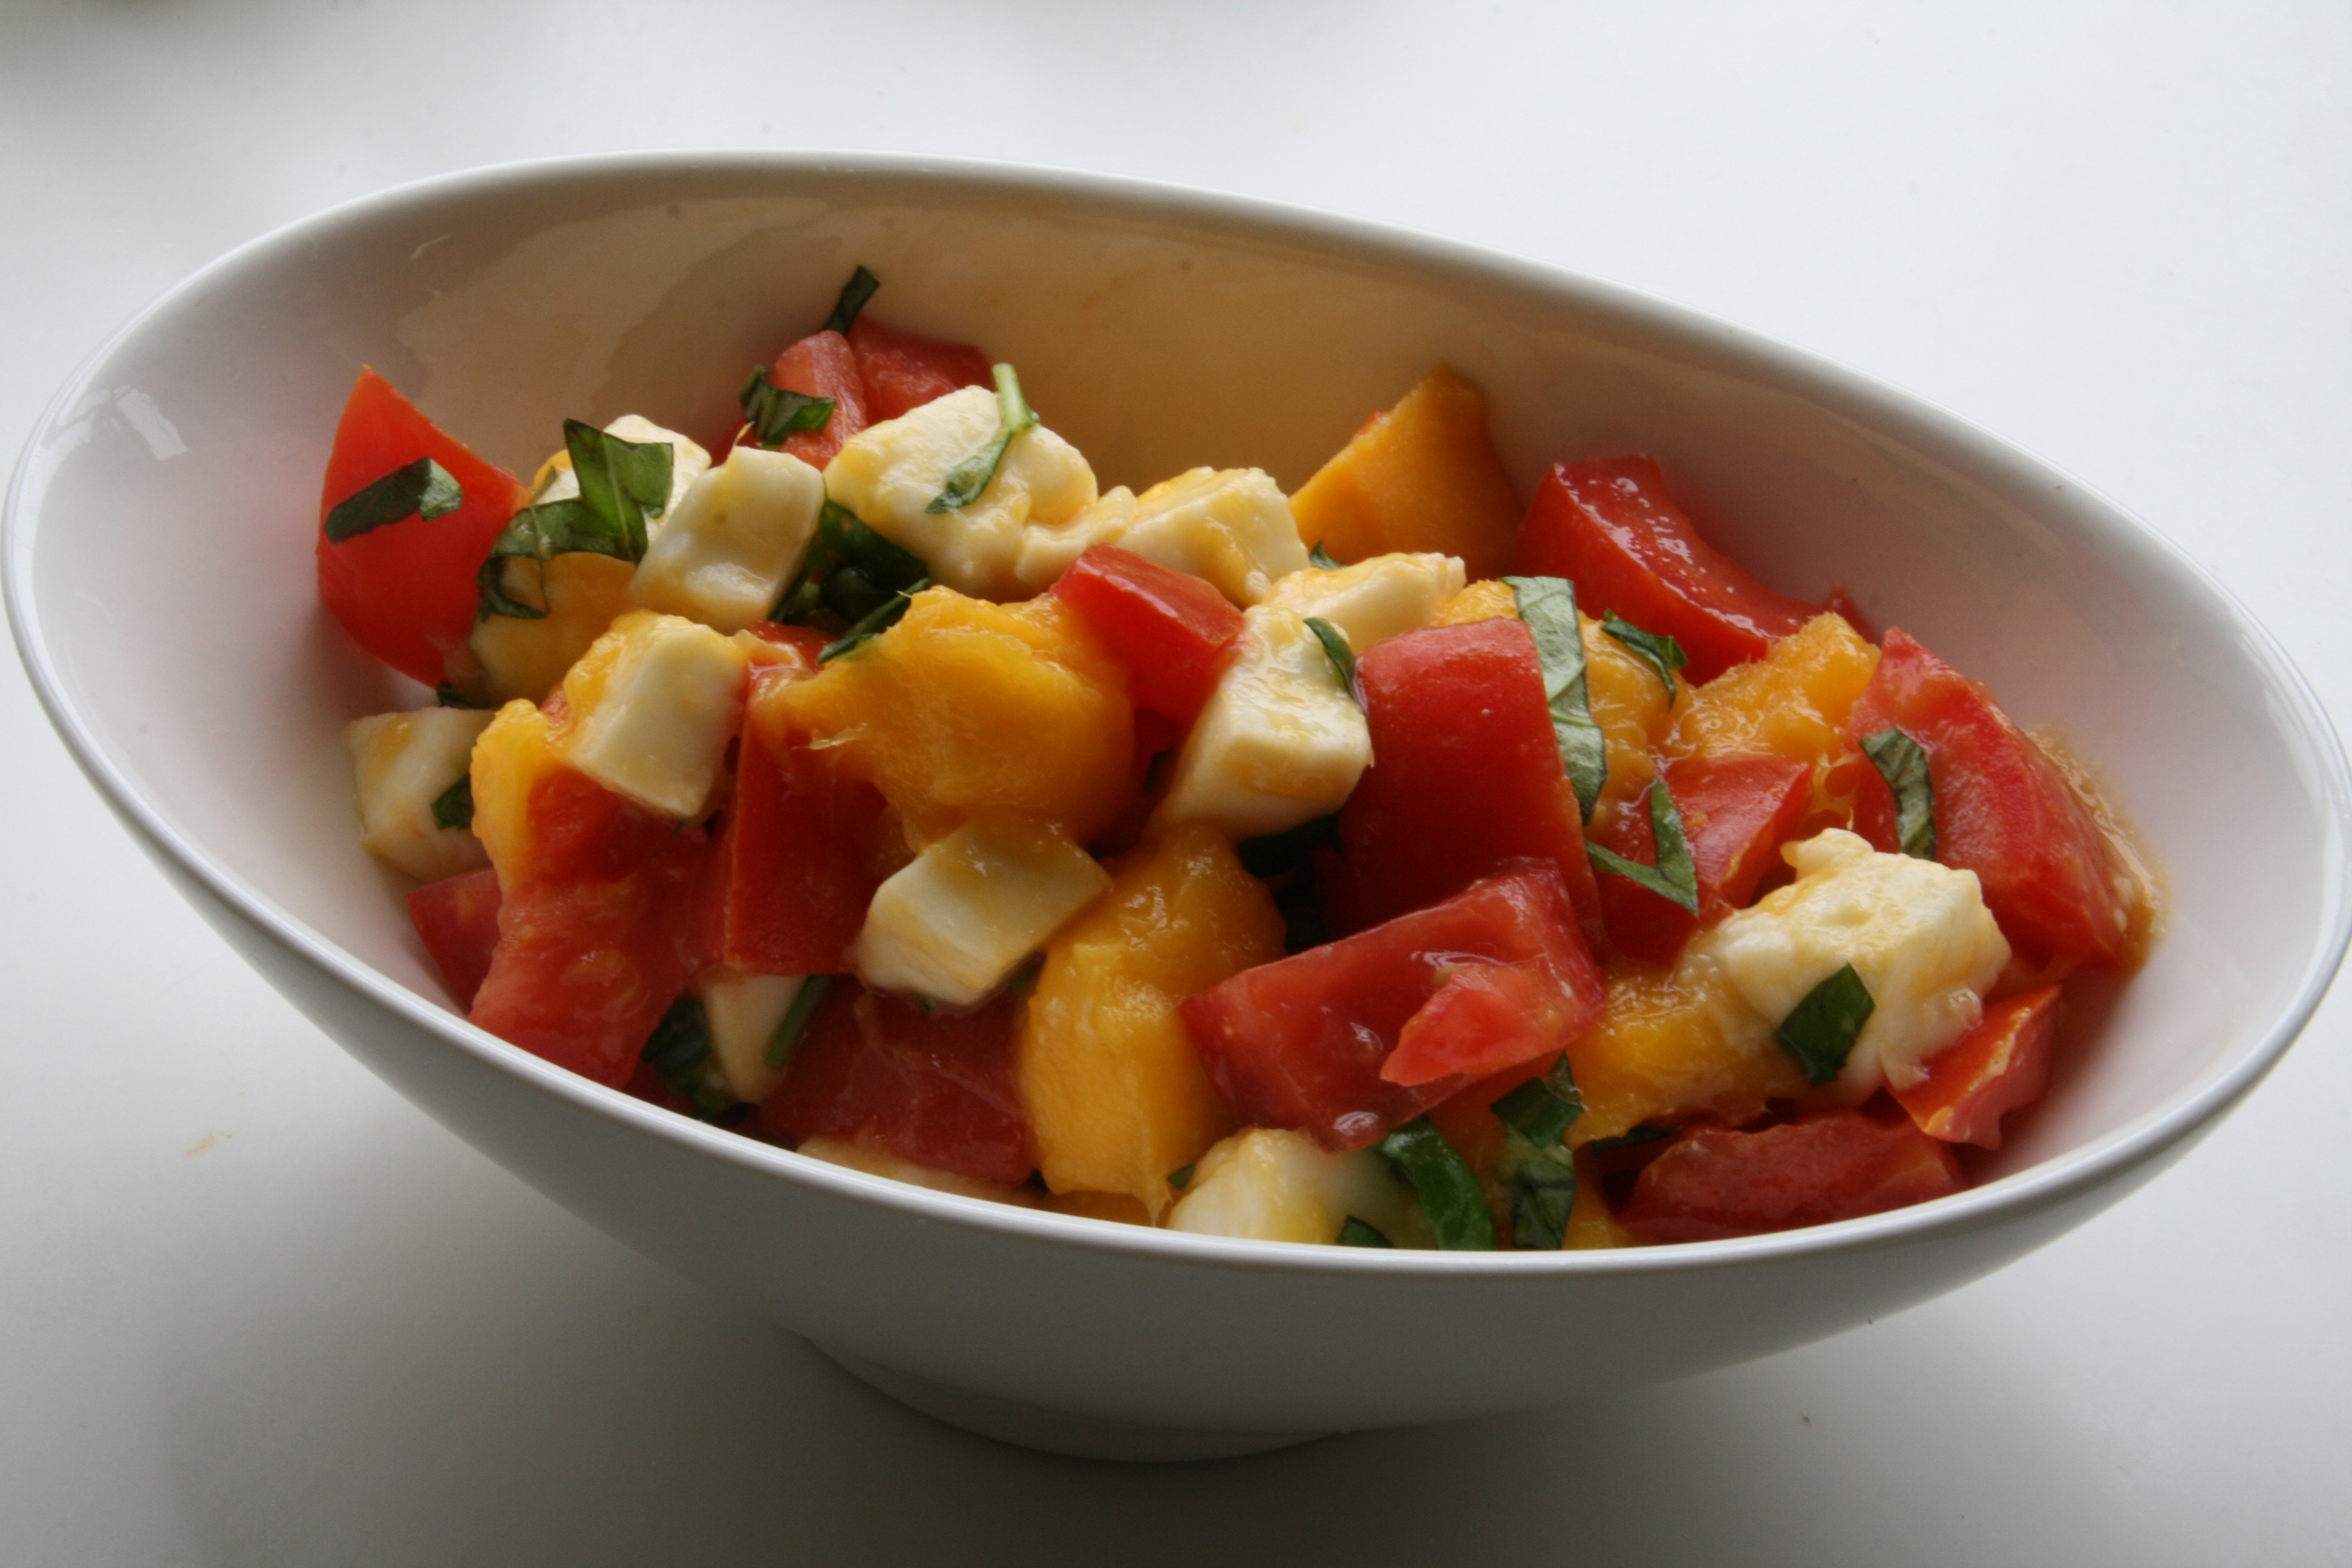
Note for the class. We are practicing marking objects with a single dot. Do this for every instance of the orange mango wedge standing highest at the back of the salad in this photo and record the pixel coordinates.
(1419, 478)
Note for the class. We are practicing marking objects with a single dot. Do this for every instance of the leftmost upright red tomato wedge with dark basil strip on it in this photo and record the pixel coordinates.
(406, 591)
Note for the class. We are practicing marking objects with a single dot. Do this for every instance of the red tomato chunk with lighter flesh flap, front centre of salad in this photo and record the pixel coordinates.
(1302, 1043)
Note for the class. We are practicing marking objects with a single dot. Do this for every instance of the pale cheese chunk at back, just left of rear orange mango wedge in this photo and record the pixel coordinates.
(1231, 528)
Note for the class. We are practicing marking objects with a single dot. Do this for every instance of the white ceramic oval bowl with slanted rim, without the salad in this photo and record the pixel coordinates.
(175, 485)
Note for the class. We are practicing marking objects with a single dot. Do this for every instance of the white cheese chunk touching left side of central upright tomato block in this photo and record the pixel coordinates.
(1278, 744)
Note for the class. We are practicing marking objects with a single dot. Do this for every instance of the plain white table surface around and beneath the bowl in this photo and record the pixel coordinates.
(260, 1311)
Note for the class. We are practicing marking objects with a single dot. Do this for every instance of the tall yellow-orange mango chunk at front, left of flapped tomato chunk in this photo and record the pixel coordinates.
(1114, 1090)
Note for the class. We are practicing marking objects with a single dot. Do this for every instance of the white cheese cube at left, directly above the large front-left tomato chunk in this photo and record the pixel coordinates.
(653, 711)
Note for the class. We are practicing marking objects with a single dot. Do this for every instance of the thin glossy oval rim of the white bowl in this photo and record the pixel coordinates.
(1838, 389)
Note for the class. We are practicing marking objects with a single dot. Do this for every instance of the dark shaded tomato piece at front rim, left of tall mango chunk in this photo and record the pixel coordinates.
(937, 1090)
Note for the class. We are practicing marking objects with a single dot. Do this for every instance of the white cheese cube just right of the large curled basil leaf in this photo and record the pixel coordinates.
(735, 542)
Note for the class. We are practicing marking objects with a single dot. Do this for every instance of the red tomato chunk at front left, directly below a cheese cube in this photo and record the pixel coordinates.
(599, 934)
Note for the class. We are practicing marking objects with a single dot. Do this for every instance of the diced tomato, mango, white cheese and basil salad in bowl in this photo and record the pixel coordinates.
(1389, 864)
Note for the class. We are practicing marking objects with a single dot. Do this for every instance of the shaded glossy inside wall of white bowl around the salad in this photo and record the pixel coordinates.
(163, 516)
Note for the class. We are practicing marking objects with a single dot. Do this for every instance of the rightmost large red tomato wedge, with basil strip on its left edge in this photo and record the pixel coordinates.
(2003, 810)
